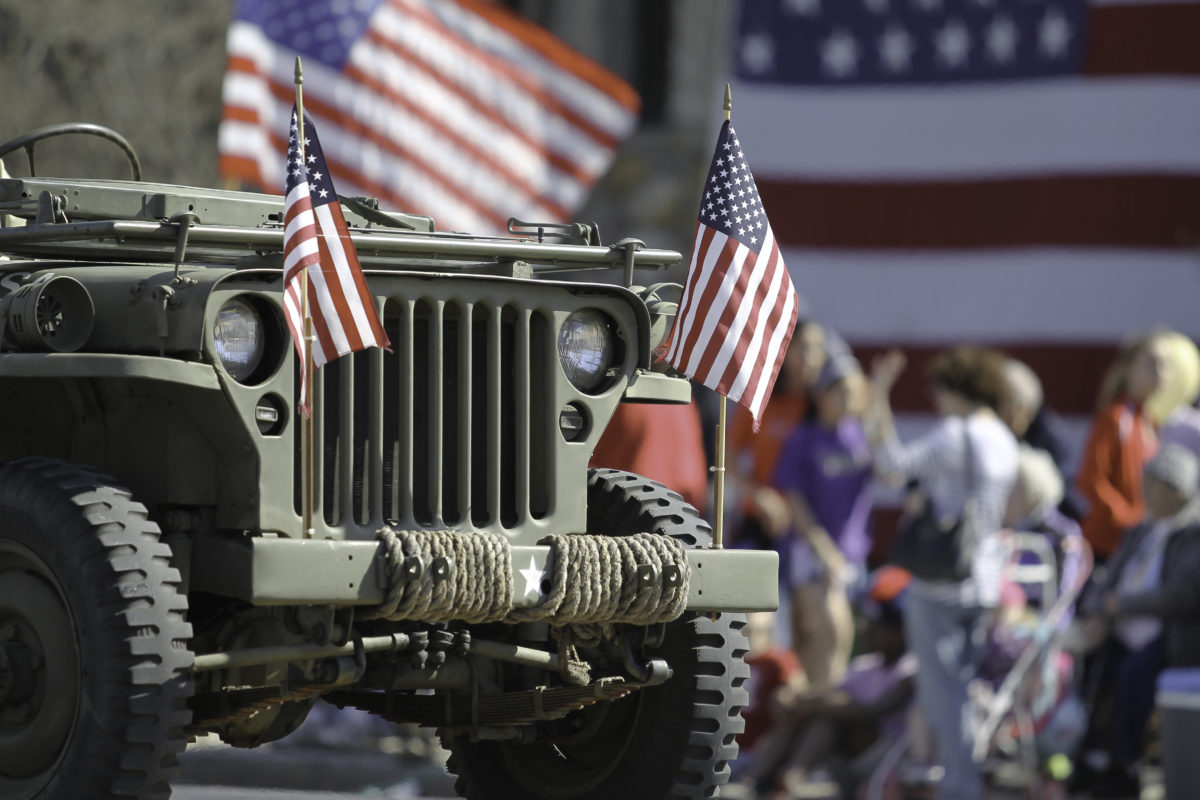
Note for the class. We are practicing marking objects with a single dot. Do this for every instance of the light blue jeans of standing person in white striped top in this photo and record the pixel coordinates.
(944, 635)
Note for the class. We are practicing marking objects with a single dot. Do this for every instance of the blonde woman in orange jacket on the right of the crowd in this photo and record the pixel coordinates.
(1121, 442)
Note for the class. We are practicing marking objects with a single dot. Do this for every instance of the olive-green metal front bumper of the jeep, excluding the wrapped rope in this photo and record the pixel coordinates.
(275, 572)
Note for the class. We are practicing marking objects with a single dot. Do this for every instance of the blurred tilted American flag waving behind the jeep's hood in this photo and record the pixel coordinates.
(453, 109)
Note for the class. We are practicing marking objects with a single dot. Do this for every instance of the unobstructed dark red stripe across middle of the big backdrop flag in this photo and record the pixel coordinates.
(1067, 210)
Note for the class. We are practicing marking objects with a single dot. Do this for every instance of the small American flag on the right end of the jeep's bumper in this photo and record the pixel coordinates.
(739, 308)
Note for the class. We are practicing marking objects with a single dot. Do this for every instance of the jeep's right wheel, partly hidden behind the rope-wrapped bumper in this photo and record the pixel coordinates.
(674, 741)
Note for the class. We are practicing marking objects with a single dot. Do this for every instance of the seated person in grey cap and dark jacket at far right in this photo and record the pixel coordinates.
(1147, 612)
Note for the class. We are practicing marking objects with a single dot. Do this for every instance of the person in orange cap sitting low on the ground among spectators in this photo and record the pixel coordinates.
(836, 729)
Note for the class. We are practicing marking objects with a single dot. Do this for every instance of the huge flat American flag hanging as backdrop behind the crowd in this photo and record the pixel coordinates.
(1024, 173)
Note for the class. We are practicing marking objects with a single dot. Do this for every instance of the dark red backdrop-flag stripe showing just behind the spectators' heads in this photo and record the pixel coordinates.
(1071, 374)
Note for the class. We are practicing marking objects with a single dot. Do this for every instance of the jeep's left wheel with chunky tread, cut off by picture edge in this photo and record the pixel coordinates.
(93, 640)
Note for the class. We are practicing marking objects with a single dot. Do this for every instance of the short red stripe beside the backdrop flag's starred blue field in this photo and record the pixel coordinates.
(1144, 39)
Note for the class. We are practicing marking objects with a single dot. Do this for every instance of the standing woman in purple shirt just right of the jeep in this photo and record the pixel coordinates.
(826, 471)
